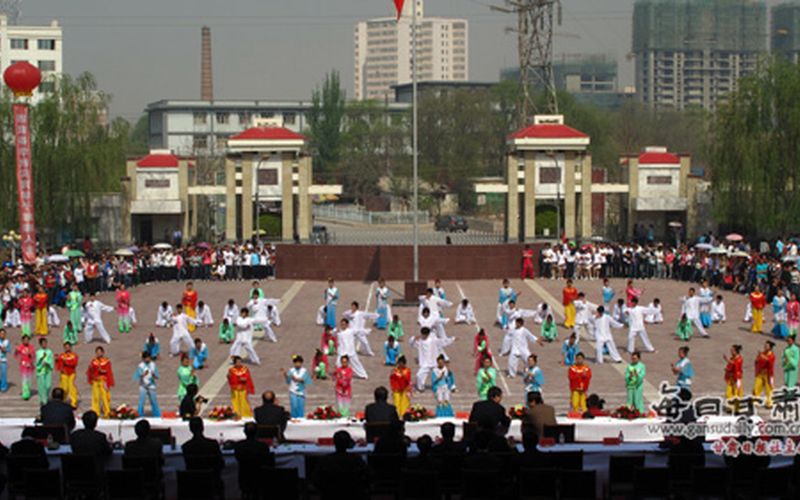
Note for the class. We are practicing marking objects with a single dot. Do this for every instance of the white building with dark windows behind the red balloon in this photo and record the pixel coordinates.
(41, 46)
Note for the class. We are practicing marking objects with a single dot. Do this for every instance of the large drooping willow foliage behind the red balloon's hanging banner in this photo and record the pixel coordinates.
(74, 155)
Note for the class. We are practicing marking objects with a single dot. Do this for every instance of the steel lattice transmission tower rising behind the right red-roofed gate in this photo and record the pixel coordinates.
(535, 24)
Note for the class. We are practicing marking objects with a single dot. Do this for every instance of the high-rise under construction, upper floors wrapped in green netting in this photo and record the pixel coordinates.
(692, 52)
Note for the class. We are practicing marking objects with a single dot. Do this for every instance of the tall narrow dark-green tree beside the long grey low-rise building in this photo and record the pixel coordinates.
(325, 124)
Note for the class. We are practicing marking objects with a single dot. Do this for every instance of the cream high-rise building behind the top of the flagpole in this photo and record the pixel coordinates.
(383, 50)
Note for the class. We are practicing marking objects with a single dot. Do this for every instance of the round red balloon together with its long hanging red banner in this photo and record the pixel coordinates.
(22, 78)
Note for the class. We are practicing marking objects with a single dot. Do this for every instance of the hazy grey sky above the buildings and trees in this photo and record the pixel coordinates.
(146, 50)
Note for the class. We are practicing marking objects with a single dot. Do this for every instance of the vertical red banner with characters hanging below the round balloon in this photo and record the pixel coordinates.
(27, 225)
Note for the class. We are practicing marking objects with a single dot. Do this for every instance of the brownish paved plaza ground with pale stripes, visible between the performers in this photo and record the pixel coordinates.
(299, 334)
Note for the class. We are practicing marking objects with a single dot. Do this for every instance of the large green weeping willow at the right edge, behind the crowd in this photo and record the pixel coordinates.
(756, 151)
